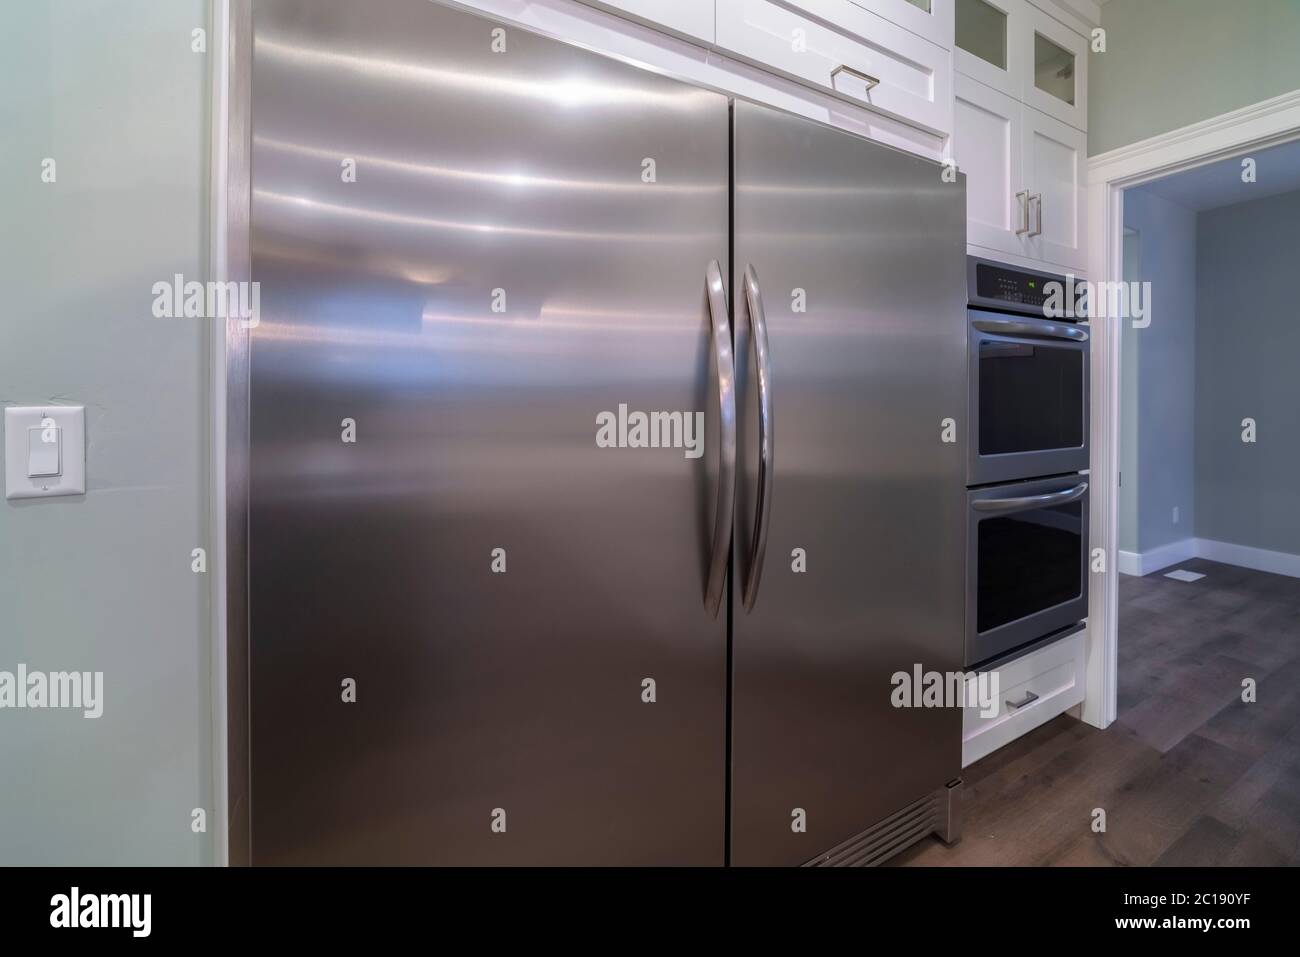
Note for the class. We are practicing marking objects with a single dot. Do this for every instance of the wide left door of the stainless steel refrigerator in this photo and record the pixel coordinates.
(478, 622)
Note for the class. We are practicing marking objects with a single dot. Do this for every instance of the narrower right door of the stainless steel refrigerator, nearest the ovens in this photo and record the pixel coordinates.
(855, 256)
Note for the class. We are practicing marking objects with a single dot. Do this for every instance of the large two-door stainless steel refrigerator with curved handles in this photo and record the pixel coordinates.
(479, 631)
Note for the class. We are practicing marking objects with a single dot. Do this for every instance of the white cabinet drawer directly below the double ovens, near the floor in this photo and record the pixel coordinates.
(1033, 691)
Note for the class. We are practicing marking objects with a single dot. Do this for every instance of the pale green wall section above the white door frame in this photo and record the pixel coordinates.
(1173, 63)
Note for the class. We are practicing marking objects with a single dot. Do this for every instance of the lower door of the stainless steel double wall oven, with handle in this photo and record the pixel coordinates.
(1028, 564)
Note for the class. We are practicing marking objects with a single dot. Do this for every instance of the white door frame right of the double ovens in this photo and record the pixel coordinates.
(1110, 175)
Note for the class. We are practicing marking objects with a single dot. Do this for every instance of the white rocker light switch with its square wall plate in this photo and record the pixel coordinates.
(45, 452)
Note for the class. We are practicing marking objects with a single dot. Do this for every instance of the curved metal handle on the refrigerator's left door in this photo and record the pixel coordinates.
(727, 441)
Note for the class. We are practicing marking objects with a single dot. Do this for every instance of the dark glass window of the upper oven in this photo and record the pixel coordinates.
(1030, 397)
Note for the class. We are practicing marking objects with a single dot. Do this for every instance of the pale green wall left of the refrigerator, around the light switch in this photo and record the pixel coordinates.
(112, 93)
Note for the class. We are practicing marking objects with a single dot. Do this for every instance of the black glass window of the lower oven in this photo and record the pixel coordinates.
(1029, 562)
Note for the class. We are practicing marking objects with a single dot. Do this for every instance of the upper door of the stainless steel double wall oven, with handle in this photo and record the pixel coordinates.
(1029, 399)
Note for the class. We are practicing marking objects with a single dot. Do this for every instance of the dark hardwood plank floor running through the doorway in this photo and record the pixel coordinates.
(1189, 774)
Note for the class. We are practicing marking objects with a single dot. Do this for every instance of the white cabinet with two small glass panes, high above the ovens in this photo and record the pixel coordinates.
(1019, 50)
